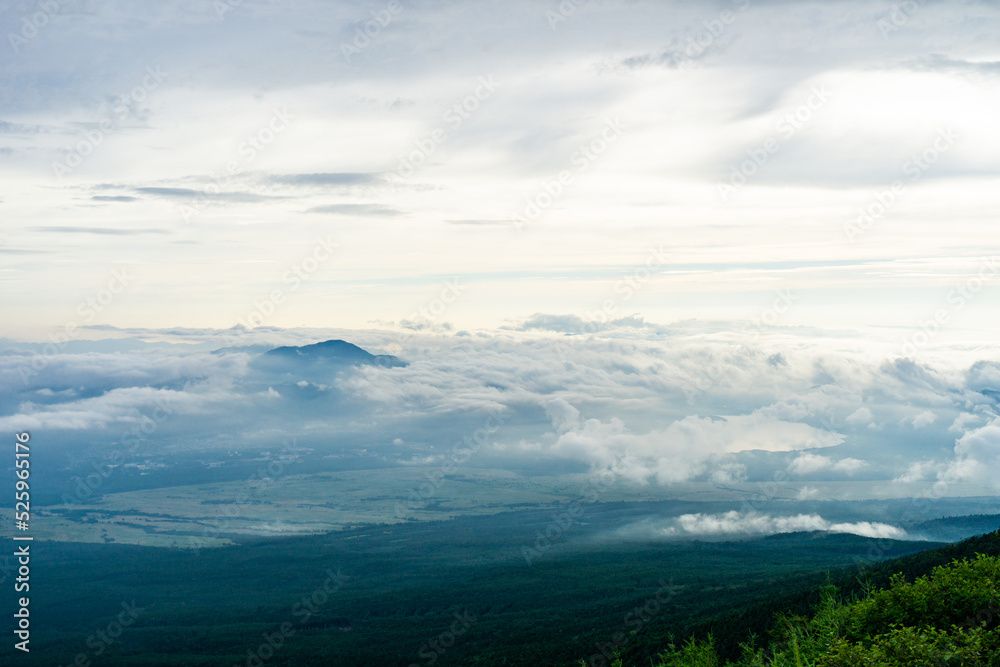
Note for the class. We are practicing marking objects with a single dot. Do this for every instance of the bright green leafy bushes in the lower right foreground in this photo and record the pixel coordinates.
(950, 618)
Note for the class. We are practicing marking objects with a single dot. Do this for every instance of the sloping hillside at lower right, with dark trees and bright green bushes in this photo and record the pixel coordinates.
(940, 607)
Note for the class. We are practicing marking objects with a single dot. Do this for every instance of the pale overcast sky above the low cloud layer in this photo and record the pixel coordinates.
(684, 159)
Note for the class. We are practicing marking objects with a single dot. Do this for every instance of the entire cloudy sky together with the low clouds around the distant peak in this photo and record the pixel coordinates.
(677, 240)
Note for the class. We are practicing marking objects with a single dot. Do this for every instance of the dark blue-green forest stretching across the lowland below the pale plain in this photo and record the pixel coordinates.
(448, 593)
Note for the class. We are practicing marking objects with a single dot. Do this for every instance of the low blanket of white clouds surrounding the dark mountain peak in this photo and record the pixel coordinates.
(651, 407)
